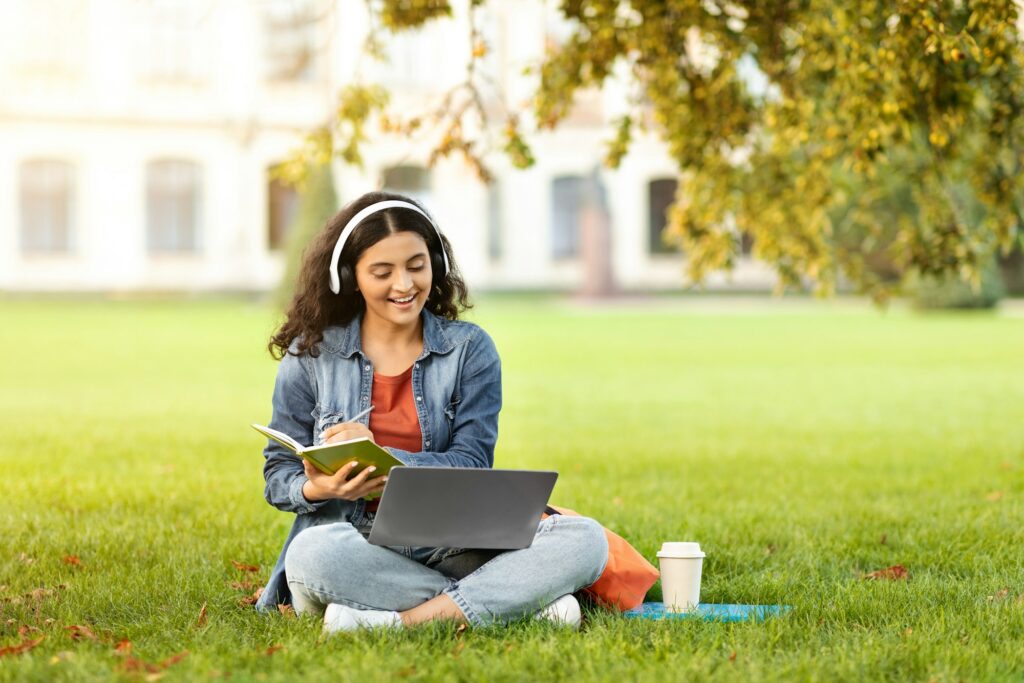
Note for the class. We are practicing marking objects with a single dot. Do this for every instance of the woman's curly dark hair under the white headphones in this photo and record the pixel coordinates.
(315, 307)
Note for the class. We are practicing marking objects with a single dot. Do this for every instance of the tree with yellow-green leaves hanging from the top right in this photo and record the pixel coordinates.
(929, 91)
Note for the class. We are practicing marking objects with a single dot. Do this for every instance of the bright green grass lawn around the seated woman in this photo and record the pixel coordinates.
(802, 446)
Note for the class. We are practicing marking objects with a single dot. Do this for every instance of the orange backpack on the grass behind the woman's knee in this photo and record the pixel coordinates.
(627, 577)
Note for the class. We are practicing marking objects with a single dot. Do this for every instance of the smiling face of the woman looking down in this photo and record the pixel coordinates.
(393, 271)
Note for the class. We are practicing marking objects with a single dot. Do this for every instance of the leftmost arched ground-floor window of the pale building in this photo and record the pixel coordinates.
(48, 203)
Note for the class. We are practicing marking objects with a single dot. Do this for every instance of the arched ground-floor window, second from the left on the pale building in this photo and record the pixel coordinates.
(174, 206)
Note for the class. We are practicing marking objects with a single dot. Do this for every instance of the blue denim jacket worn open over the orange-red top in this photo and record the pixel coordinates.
(457, 387)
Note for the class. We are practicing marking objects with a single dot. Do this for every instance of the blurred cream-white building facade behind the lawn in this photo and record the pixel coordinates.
(137, 141)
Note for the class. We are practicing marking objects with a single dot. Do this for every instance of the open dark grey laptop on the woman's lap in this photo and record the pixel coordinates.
(461, 507)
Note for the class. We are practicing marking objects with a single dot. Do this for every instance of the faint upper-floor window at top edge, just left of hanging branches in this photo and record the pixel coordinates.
(291, 50)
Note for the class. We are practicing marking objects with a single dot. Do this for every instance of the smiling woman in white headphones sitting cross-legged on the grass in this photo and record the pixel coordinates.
(374, 322)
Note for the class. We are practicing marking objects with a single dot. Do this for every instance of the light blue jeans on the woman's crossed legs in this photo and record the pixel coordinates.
(334, 563)
